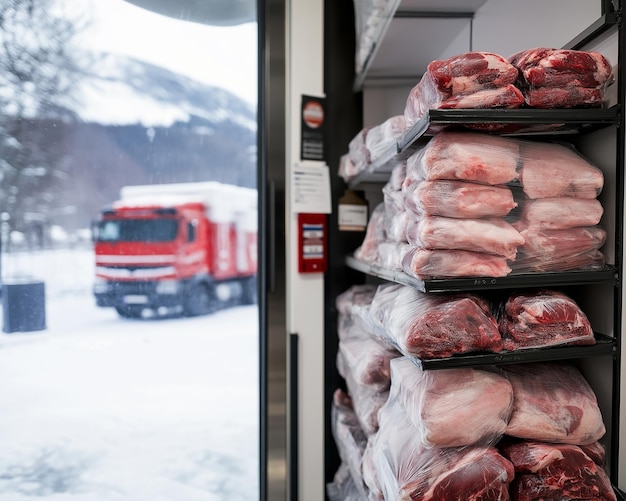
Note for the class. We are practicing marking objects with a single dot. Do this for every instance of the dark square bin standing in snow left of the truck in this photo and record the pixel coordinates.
(23, 306)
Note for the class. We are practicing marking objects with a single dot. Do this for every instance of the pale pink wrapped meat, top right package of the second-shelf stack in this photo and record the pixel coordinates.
(551, 170)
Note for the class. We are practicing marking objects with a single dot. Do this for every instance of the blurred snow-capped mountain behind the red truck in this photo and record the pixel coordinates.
(136, 123)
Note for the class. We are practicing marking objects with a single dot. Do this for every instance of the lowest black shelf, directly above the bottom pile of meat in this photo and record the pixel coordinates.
(605, 345)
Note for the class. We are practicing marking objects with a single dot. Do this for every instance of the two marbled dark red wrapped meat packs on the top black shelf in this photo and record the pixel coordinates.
(538, 78)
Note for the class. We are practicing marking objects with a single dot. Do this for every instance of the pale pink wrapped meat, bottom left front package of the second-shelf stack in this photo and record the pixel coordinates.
(426, 264)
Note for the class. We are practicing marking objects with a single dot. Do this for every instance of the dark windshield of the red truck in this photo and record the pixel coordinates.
(137, 230)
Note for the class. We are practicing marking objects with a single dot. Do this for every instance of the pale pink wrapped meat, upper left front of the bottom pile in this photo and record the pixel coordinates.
(452, 407)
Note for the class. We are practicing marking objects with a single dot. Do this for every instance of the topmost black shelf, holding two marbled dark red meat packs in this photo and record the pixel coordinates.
(568, 120)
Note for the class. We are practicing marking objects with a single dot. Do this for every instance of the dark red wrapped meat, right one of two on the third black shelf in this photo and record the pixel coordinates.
(543, 318)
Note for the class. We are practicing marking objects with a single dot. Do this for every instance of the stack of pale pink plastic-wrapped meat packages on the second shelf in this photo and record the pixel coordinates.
(471, 204)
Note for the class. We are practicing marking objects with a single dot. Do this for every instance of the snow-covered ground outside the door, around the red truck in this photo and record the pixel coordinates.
(98, 408)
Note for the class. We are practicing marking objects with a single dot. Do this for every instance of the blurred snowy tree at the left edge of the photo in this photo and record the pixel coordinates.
(38, 71)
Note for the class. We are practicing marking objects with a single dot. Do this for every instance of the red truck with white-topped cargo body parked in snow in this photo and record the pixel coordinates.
(177, 249)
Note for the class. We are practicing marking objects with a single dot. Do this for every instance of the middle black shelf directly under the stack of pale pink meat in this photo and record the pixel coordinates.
(606, 275)
